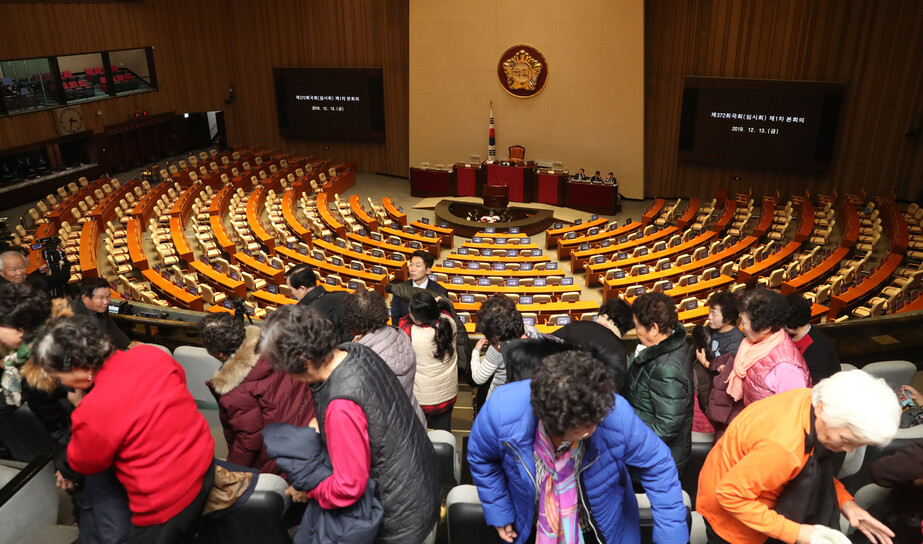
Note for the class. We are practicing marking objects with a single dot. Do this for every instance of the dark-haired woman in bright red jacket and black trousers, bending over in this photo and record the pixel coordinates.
(133, 413)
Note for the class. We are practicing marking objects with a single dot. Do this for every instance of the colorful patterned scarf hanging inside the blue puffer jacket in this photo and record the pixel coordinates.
(557, 505)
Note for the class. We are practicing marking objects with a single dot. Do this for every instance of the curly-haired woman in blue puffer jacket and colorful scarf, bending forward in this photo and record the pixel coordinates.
(549, 457)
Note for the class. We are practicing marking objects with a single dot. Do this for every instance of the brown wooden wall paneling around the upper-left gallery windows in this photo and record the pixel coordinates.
(189, 51)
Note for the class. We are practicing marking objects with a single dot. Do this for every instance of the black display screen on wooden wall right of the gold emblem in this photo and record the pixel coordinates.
(769, 124)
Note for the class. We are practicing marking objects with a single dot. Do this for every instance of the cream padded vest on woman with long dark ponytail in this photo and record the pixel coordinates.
(436, 380)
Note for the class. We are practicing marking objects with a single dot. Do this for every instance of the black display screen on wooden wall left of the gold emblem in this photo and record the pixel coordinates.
(345, 104)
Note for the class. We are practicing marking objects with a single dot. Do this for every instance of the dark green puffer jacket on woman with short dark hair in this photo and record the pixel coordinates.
(660, 389)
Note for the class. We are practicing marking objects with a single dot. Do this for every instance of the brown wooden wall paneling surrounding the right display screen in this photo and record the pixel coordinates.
(871, 46)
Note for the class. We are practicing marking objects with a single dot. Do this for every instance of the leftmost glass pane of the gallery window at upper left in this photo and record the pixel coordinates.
(27, 85)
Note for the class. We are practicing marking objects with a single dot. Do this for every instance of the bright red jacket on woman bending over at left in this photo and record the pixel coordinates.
(140, 419)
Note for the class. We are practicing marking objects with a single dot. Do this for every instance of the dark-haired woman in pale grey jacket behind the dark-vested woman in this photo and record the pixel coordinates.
(365, 316)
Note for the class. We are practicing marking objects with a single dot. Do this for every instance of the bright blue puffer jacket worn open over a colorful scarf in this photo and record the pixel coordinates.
(500, 452)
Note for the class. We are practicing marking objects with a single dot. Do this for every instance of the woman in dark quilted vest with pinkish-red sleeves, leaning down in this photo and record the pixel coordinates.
(366, 422)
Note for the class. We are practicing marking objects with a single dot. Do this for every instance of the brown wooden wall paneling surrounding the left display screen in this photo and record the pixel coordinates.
(358, 33)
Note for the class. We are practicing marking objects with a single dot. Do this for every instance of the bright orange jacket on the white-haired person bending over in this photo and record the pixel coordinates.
(762, 450)
